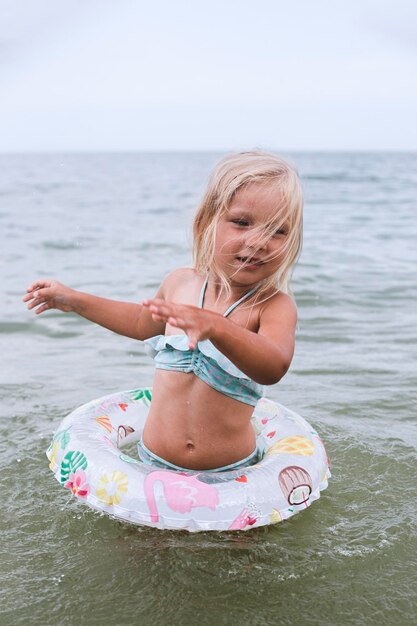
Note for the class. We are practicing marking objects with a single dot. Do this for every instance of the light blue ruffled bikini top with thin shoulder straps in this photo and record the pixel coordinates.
(172, 352)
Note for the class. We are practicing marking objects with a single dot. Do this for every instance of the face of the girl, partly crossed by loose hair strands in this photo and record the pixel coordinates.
(245, 250)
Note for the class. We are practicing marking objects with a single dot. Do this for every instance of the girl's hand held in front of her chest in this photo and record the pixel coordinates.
(197, 323)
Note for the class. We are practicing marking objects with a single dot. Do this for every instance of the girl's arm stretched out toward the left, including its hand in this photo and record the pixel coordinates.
(125, 318)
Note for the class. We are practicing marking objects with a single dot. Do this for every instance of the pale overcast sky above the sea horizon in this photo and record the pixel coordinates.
(208, 75)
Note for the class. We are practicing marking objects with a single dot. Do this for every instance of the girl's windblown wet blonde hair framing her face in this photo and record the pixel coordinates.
(231, 174)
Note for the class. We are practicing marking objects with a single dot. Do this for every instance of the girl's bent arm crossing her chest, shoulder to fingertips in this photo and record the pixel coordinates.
(264, 356)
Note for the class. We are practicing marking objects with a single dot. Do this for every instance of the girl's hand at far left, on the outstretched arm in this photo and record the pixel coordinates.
(49, 294)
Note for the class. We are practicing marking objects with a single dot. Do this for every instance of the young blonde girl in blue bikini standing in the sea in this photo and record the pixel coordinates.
(218, 331)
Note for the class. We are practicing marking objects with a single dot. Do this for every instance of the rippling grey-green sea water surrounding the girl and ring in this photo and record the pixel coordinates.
(115, 225)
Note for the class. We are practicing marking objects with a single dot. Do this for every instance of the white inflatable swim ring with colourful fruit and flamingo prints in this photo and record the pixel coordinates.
(87, 458)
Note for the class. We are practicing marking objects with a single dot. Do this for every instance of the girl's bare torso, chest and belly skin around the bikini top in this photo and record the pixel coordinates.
(190, 423)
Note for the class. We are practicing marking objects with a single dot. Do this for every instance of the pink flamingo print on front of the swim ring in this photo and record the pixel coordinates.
(182, 492)
